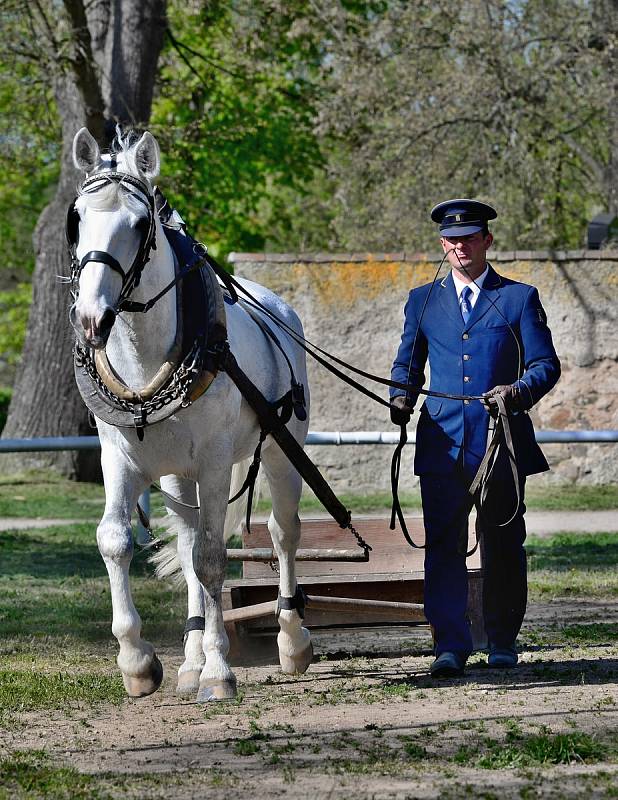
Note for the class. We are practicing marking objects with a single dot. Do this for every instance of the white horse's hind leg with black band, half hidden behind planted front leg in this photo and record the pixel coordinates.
(185, 523)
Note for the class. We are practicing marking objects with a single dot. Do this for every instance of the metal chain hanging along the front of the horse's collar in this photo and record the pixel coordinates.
(177, 389)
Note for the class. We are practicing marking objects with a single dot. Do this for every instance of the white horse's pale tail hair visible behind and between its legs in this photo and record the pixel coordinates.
(165, 556)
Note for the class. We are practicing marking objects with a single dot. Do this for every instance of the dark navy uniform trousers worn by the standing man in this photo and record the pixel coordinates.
(446, 508)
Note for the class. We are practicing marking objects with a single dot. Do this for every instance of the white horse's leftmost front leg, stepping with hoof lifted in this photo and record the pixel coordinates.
(142, 672)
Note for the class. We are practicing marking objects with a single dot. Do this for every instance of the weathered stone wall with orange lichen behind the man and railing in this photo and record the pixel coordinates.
(352, 306)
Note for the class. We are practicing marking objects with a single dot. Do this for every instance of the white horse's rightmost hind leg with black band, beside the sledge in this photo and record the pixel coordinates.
(293, 640)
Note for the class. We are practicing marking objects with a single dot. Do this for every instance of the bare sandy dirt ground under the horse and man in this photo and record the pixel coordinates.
(364, 722)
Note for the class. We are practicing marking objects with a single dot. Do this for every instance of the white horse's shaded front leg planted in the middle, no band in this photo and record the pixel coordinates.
(217, 681)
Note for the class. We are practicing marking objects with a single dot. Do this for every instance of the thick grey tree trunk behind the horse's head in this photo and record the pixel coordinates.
(123, 40)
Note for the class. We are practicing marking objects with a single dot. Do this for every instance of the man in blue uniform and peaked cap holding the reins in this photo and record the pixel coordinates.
(482, 334)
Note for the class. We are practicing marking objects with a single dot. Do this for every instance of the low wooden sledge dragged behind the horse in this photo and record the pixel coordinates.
(386, 590)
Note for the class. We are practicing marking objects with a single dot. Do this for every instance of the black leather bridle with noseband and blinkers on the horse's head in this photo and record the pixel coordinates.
(130, 278)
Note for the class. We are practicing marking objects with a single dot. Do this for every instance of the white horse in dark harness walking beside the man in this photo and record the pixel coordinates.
(192, 452)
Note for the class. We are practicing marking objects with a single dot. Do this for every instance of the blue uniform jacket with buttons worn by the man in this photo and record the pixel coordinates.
(506, 340)
